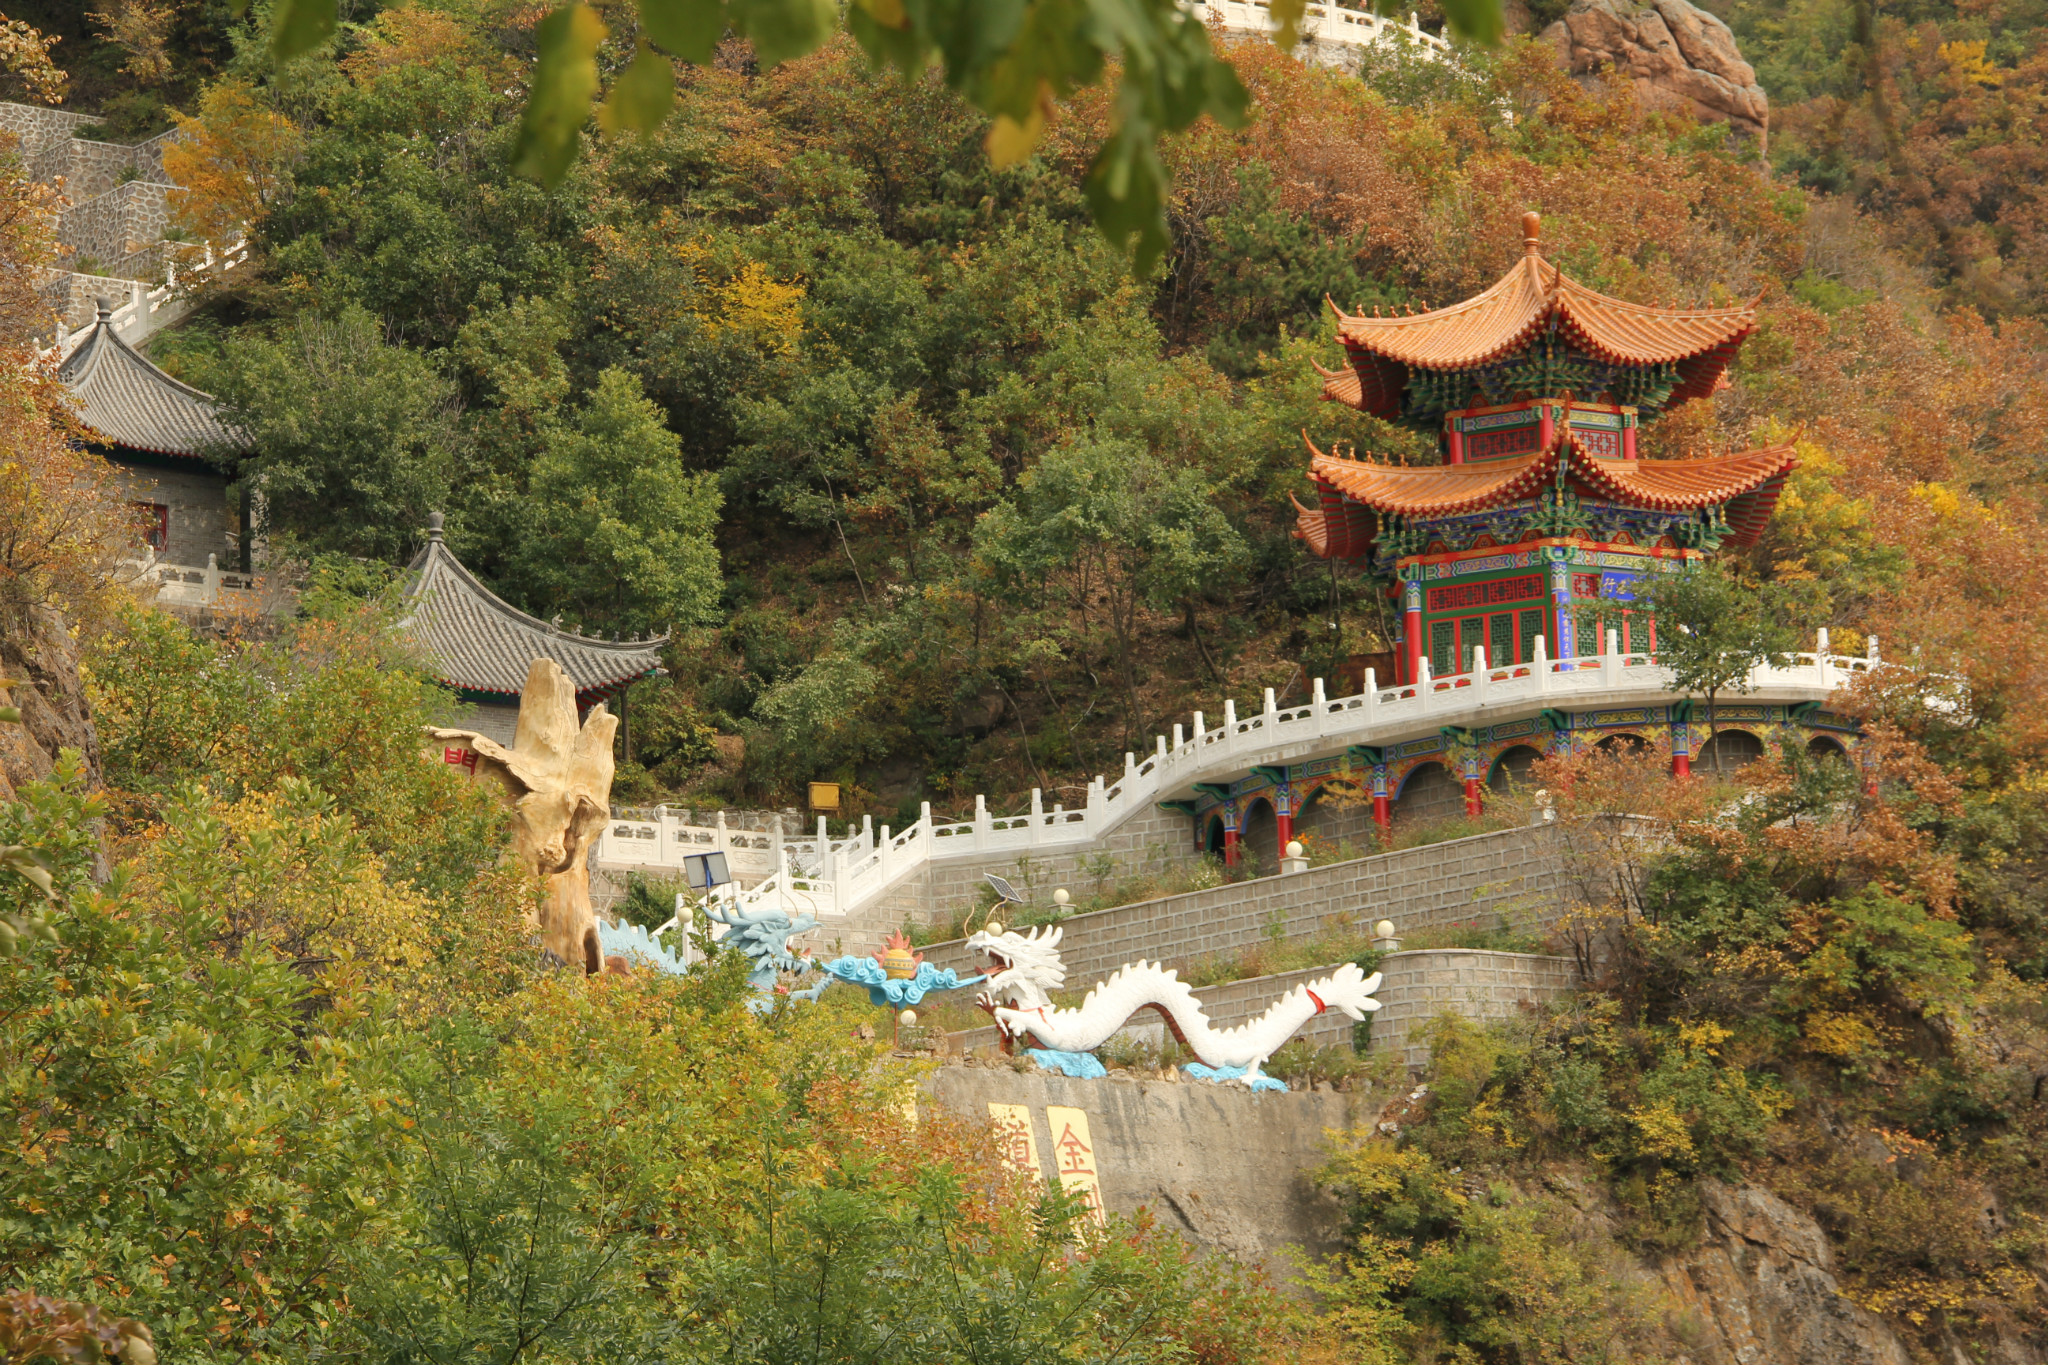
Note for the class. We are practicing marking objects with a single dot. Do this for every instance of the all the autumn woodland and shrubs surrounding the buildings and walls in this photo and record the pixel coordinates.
(939, 498)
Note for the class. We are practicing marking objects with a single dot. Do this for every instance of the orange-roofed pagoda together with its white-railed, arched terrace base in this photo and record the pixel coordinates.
(1523, 547)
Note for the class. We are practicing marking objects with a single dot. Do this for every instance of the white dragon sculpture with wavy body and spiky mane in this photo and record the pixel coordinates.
(1025, 969)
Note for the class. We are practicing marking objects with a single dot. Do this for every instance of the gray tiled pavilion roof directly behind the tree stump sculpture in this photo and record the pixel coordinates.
(482, 644)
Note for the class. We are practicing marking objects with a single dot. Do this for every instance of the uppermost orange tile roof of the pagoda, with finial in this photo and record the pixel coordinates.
(1523, 304)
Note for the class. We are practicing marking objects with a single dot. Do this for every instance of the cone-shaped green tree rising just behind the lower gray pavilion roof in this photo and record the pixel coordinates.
(617, 535)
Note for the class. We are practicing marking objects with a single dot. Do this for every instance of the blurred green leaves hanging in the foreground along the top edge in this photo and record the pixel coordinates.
(1013, 60)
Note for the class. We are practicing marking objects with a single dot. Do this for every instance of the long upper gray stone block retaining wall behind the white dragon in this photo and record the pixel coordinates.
(1512, 873)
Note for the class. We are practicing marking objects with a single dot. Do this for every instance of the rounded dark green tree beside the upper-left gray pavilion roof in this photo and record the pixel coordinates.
(353, 439)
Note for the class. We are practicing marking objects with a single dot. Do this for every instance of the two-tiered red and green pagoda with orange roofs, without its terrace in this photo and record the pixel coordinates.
(1541, 519)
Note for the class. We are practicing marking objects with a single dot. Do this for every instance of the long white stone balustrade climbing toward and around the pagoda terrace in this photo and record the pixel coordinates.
(839, 877)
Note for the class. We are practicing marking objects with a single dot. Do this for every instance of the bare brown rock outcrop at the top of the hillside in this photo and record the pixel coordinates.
(1678, 56)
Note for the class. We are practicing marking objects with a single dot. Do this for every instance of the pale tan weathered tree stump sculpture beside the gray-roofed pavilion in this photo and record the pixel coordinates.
(558, 779)
